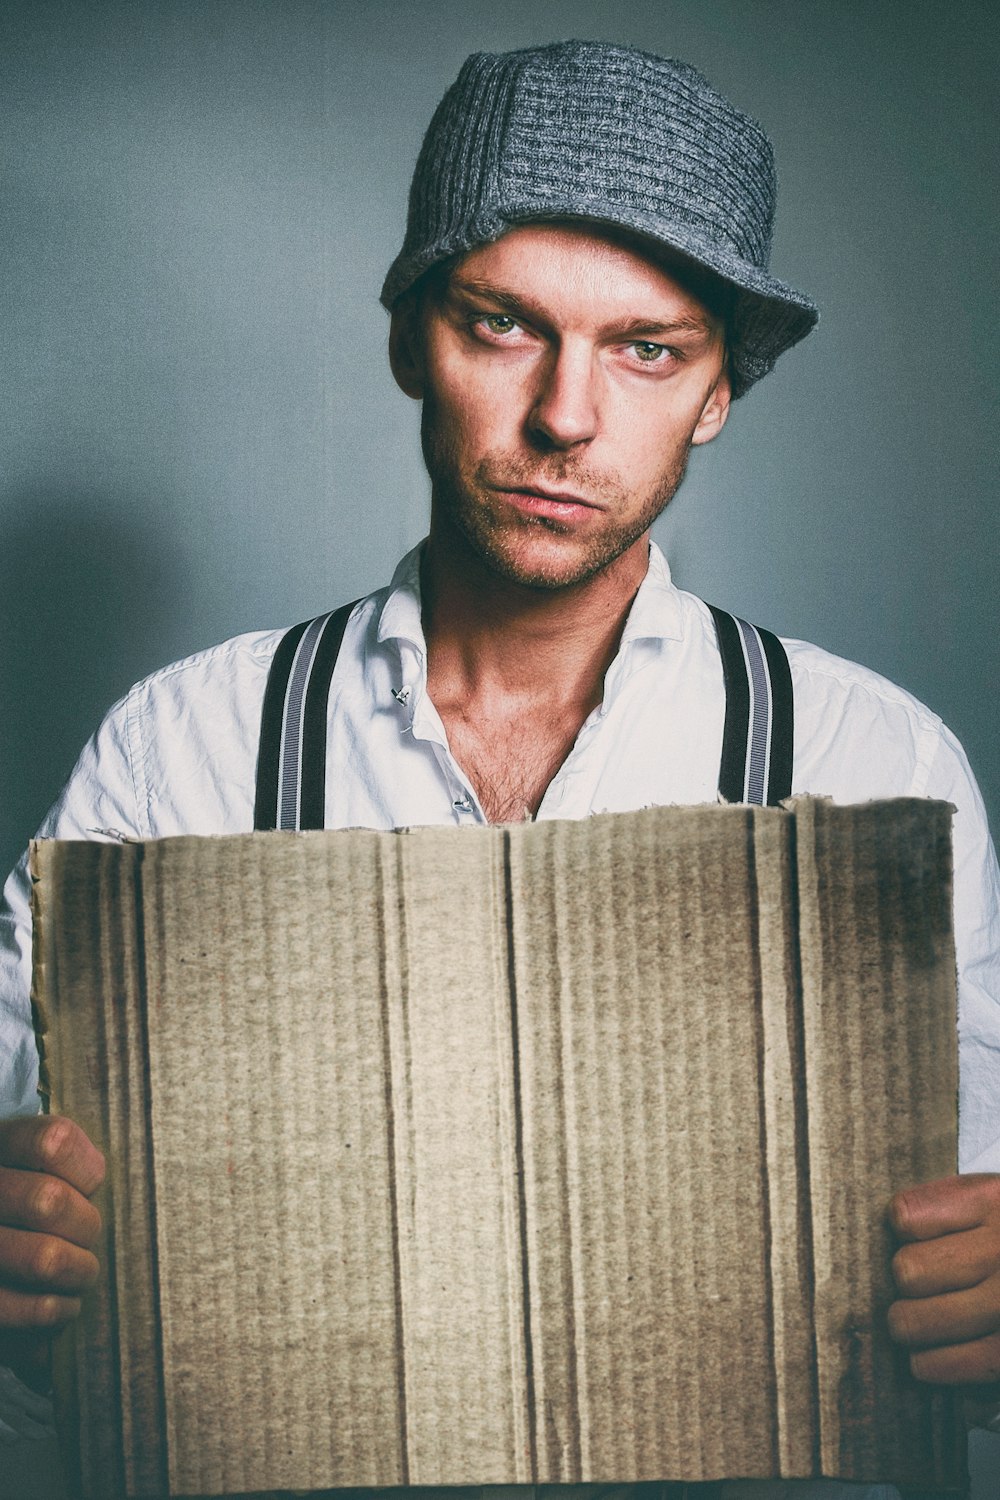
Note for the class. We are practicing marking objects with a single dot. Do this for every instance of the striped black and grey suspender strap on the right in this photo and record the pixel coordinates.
(758, 737)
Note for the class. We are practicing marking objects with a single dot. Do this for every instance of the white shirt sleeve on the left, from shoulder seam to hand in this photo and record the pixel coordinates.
(100, 800)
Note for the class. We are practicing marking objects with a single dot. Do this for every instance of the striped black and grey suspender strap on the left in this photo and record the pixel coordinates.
(292, 764)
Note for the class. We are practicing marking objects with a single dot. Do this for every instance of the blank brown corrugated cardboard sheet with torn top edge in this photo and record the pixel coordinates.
(554, 1153)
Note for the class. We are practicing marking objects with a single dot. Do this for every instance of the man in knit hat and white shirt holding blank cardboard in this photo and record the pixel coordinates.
(582, 293)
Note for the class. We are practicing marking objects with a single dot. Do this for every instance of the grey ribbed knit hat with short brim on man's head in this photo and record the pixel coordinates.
(614, 136)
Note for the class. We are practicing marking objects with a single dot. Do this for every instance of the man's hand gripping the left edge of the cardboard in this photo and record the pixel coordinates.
(49, 1169)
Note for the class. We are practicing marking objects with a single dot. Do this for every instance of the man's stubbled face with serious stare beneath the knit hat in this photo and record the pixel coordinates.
(564, 382)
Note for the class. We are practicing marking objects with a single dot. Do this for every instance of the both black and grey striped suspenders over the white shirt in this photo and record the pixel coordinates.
(292, 769)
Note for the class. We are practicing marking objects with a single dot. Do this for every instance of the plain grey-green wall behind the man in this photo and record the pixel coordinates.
(199, 433)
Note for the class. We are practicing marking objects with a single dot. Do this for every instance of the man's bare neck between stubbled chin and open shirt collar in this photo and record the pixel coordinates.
(491, 635)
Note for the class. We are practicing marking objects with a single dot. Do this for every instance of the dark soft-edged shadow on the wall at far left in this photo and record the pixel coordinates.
(89, 593)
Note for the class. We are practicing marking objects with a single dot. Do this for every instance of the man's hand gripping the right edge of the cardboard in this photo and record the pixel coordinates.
(948, 1273)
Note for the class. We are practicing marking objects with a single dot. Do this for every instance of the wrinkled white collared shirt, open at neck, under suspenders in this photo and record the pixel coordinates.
(178, 755)
